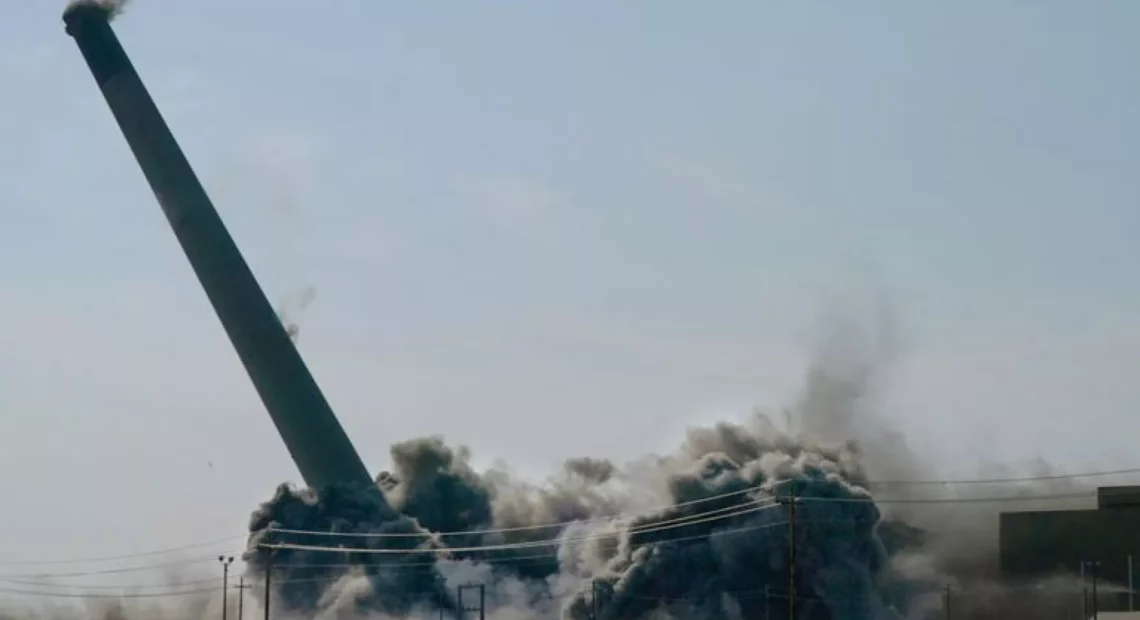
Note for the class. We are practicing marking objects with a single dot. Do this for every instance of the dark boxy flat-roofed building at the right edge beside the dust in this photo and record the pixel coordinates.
(1102, 544)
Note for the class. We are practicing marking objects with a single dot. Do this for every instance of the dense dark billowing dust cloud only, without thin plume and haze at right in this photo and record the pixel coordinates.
(716, 550)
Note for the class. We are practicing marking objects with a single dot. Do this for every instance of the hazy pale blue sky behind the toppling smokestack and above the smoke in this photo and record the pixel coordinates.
(552, 230)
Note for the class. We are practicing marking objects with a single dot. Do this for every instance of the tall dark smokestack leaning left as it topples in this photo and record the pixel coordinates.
(306, 422)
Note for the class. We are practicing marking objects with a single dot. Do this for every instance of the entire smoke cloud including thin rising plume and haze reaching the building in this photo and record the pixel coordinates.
(699, 534)
